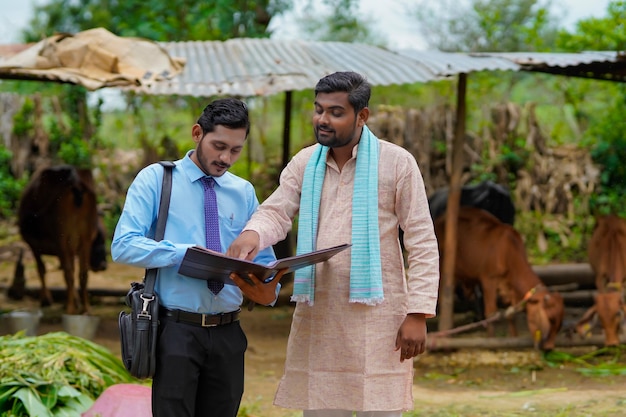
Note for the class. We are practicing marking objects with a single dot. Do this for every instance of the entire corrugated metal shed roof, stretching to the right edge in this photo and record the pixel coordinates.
(250, 67)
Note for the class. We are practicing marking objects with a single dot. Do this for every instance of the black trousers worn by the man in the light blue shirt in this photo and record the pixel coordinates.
(199, 370)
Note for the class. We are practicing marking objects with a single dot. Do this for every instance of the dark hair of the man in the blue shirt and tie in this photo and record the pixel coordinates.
(229, 112)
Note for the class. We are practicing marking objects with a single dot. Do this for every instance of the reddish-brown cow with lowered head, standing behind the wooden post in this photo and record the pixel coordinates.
(492, 254)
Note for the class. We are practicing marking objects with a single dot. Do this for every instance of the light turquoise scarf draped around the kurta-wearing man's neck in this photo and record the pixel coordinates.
(365, 267)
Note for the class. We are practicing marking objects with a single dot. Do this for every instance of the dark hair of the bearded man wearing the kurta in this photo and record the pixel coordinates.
(357, 87)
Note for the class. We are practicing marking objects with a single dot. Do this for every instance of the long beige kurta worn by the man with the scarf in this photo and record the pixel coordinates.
(342, 355)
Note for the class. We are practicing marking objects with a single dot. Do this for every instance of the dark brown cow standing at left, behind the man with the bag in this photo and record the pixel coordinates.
(58, 216)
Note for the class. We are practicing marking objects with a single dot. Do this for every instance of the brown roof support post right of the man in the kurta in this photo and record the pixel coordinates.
(446, 284)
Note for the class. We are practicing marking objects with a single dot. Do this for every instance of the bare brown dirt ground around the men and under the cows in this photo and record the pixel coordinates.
(470, 382)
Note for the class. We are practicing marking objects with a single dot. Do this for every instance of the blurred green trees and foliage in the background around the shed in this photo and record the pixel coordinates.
(118, 141)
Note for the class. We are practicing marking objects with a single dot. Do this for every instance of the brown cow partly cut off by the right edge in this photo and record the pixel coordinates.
(607, 257)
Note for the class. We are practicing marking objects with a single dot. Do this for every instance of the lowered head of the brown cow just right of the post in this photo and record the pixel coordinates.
(544, 312)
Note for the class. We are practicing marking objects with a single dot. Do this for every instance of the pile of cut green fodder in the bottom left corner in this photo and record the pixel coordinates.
(54, 374)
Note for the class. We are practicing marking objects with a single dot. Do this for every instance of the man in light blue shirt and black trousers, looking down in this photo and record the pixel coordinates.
(200, 368)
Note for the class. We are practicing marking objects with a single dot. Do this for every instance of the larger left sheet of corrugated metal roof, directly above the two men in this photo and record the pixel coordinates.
(251, 67)
